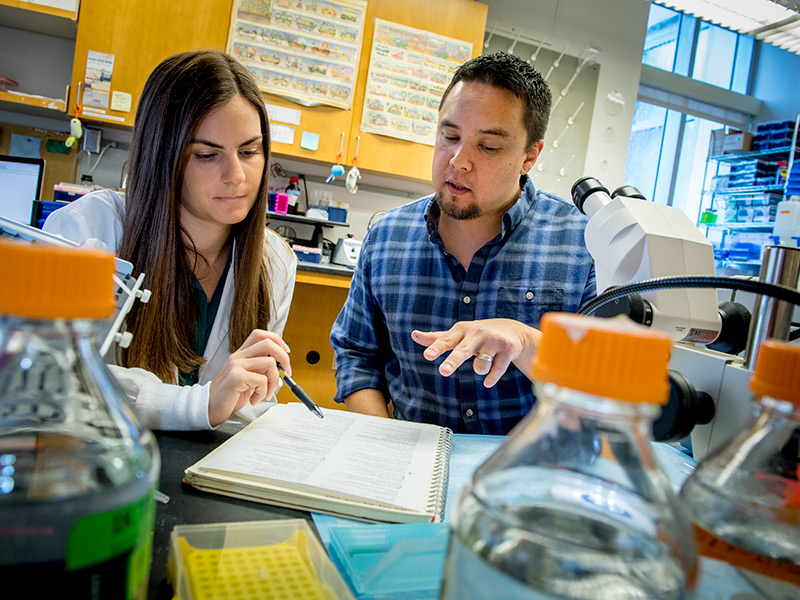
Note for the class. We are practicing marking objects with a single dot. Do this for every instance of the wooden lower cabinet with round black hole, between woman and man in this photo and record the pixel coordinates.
(318, 298)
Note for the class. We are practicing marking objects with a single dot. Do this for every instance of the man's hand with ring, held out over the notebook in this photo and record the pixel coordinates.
(494, 343)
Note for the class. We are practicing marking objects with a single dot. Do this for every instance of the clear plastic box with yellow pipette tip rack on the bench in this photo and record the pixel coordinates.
(256, 559)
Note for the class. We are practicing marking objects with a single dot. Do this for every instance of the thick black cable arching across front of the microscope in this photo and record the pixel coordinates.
(779, 292)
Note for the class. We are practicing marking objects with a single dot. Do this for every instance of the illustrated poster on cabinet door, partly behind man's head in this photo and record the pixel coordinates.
(409, 70)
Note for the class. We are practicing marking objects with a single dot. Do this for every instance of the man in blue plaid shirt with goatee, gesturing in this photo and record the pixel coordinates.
(470, 269)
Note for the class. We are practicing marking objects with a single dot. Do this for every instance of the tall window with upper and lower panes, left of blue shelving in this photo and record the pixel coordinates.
(669, 144)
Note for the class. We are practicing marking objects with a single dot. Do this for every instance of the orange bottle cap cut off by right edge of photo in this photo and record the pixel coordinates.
(777, 373)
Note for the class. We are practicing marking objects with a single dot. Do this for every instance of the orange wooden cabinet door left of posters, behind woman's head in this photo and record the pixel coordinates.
(141, 34)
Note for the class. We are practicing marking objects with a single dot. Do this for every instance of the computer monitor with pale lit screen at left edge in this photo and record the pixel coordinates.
(20, 187)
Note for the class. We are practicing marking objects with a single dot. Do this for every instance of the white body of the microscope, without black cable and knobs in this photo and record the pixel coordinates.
(631, 240)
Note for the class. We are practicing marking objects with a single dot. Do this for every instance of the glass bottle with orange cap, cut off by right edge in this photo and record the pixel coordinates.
(744, 496)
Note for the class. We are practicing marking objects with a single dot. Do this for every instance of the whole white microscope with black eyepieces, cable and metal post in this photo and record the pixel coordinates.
(634, 241)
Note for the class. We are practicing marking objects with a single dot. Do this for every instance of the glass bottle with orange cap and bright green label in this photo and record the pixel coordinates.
(78, 470)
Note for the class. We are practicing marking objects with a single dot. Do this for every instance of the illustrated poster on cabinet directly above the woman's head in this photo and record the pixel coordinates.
(303, 50)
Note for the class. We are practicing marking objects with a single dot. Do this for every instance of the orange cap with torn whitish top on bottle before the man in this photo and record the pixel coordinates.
(614, 358)
